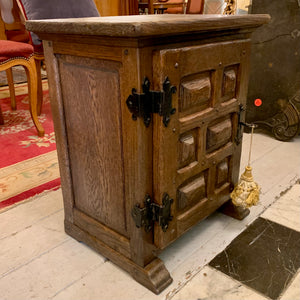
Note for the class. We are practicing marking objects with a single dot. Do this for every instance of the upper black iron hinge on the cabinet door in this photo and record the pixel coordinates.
(145, 104)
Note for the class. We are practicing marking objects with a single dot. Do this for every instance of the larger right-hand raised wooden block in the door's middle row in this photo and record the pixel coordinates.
(218, 135)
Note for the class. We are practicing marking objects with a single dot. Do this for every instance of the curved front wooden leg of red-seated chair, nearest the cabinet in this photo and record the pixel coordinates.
(32, 92)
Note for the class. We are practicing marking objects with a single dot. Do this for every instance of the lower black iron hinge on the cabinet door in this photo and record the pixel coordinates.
(152, 212)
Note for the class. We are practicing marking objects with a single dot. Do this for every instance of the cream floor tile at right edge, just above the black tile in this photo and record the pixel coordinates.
(286, 210)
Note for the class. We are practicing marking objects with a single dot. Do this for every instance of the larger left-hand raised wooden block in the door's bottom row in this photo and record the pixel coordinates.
(191, 192)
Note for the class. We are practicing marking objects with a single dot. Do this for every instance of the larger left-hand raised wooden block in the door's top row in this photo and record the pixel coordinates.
(195, 92)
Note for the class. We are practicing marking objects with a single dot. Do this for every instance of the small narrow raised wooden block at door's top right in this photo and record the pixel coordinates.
(229, 84)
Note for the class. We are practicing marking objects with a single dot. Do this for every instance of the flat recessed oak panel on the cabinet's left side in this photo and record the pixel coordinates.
(90, 89)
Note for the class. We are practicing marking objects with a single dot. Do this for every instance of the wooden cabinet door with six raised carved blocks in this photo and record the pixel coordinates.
(195, 158)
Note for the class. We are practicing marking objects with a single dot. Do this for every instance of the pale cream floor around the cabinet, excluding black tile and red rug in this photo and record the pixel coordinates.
(39, 261)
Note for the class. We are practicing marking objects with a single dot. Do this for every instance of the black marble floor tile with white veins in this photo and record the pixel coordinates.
(265, 257)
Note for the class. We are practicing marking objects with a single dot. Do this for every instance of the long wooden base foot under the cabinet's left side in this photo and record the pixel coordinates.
(153, 276)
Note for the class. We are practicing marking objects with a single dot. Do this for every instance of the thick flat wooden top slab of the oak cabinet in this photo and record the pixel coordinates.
(146, 25)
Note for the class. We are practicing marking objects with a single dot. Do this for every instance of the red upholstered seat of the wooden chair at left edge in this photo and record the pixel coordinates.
(10, 49)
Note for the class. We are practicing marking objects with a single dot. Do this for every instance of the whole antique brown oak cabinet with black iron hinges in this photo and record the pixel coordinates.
(146, 112)
